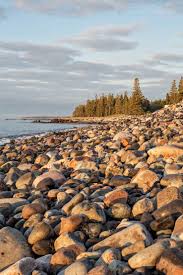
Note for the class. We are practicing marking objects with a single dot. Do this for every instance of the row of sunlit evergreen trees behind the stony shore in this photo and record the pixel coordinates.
(136, 104)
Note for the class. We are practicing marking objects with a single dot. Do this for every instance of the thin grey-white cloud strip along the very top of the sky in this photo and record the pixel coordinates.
(87, 7)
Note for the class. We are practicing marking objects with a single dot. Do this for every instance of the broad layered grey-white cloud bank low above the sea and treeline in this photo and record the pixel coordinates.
(31, 72)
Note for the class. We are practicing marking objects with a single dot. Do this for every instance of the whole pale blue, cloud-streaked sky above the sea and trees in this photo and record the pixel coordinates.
(56, 54)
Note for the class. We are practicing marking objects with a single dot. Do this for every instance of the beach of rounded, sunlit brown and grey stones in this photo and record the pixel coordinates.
(100, 200)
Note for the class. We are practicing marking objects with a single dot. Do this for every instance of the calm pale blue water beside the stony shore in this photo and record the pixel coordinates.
(17, 128)
